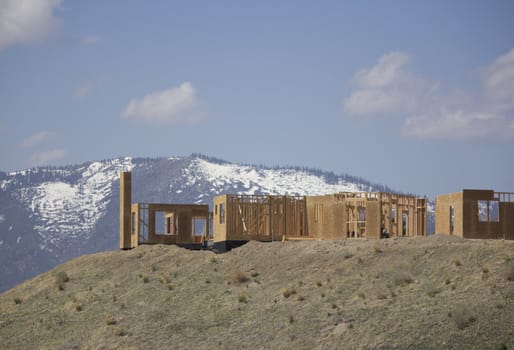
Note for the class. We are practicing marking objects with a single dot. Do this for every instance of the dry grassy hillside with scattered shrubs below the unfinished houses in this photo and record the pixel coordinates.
(432, 292)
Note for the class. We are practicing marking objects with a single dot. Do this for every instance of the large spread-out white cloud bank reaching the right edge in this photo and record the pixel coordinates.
(390, 89)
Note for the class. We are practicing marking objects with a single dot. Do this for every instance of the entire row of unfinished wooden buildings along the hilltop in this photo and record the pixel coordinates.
(236, 218)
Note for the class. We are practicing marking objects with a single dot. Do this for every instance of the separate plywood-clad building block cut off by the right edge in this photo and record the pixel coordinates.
(476, 214)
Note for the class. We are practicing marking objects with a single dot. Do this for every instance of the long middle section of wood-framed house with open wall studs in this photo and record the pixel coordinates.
(240, 218)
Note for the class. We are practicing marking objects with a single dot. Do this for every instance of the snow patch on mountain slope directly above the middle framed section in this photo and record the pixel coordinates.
(265, 181)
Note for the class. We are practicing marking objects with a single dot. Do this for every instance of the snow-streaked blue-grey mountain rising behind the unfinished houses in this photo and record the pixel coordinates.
(49, 215)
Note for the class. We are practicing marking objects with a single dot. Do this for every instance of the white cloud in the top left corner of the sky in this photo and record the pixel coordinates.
(26, 21)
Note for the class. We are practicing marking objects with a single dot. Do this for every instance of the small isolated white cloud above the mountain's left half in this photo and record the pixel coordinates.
(178, 105)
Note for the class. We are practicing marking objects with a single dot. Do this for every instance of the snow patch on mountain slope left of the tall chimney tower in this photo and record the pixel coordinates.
(65, 210)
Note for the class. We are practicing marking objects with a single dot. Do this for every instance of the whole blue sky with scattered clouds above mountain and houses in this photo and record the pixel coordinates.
(417, 95)
